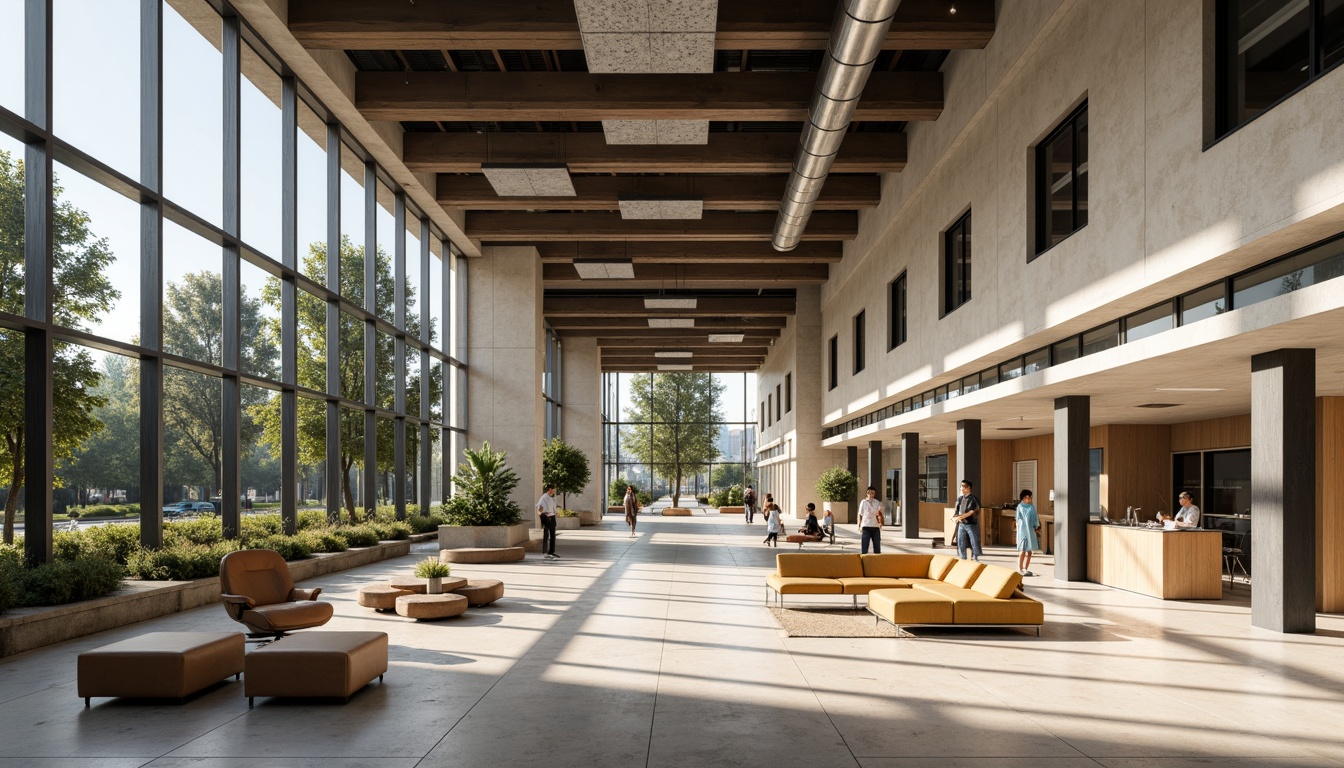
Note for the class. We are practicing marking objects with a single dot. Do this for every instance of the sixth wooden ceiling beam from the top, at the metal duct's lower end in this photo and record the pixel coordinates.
(708, 252)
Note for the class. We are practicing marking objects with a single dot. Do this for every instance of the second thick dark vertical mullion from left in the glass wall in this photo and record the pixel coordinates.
(151, 278)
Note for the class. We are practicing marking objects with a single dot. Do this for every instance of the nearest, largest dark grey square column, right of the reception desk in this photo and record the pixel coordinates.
(1284, 490)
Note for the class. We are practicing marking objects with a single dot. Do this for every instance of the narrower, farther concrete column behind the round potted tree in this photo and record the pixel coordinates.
(581, 414)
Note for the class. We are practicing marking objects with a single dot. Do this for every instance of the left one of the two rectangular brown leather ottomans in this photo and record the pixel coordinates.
(161, 665)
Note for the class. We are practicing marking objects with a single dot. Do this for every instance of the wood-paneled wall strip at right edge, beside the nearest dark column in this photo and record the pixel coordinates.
(1330, 505)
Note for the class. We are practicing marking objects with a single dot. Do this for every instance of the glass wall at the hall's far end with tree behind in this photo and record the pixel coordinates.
(640, 424)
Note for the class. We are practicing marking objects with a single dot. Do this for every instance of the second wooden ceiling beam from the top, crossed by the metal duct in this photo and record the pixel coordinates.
(584, 96)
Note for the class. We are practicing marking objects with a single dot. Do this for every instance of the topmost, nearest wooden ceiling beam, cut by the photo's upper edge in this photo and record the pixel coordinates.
(553, 25)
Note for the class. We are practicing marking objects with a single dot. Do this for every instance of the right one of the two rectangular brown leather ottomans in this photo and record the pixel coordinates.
(317, 665)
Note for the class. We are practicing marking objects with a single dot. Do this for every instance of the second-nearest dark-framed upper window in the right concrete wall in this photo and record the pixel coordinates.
(1062, 181)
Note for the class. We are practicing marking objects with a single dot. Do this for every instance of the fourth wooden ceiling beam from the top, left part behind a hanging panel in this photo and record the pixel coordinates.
(720, 193)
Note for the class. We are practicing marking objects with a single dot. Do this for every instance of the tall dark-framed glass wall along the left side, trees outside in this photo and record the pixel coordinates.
(197, 262)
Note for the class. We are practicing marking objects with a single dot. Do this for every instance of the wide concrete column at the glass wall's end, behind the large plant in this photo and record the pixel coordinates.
(507, 350)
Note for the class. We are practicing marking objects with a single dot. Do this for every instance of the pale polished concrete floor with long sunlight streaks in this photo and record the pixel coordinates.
(659, 652)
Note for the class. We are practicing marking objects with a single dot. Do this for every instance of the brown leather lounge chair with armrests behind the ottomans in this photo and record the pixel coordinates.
(259, 592)
